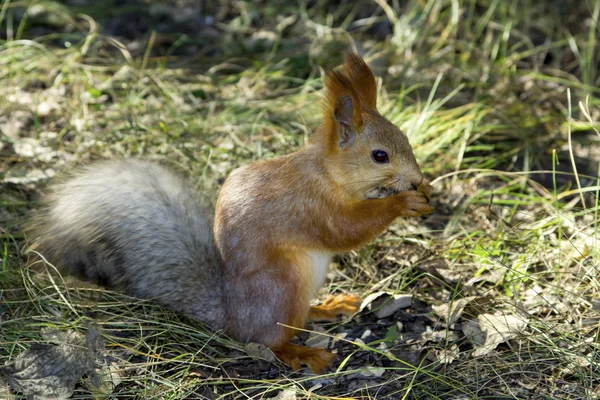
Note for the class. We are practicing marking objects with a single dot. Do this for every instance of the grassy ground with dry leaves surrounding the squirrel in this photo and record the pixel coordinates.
(495, 295)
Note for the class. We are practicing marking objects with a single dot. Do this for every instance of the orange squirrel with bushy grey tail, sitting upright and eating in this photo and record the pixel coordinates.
(135, 226)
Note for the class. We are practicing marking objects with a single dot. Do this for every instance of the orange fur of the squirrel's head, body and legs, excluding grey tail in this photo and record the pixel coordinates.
(277, 221)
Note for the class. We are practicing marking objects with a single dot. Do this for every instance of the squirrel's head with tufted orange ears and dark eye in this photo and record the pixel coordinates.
(366, 154)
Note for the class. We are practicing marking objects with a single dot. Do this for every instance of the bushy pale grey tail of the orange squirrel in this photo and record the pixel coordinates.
(135, 226)
